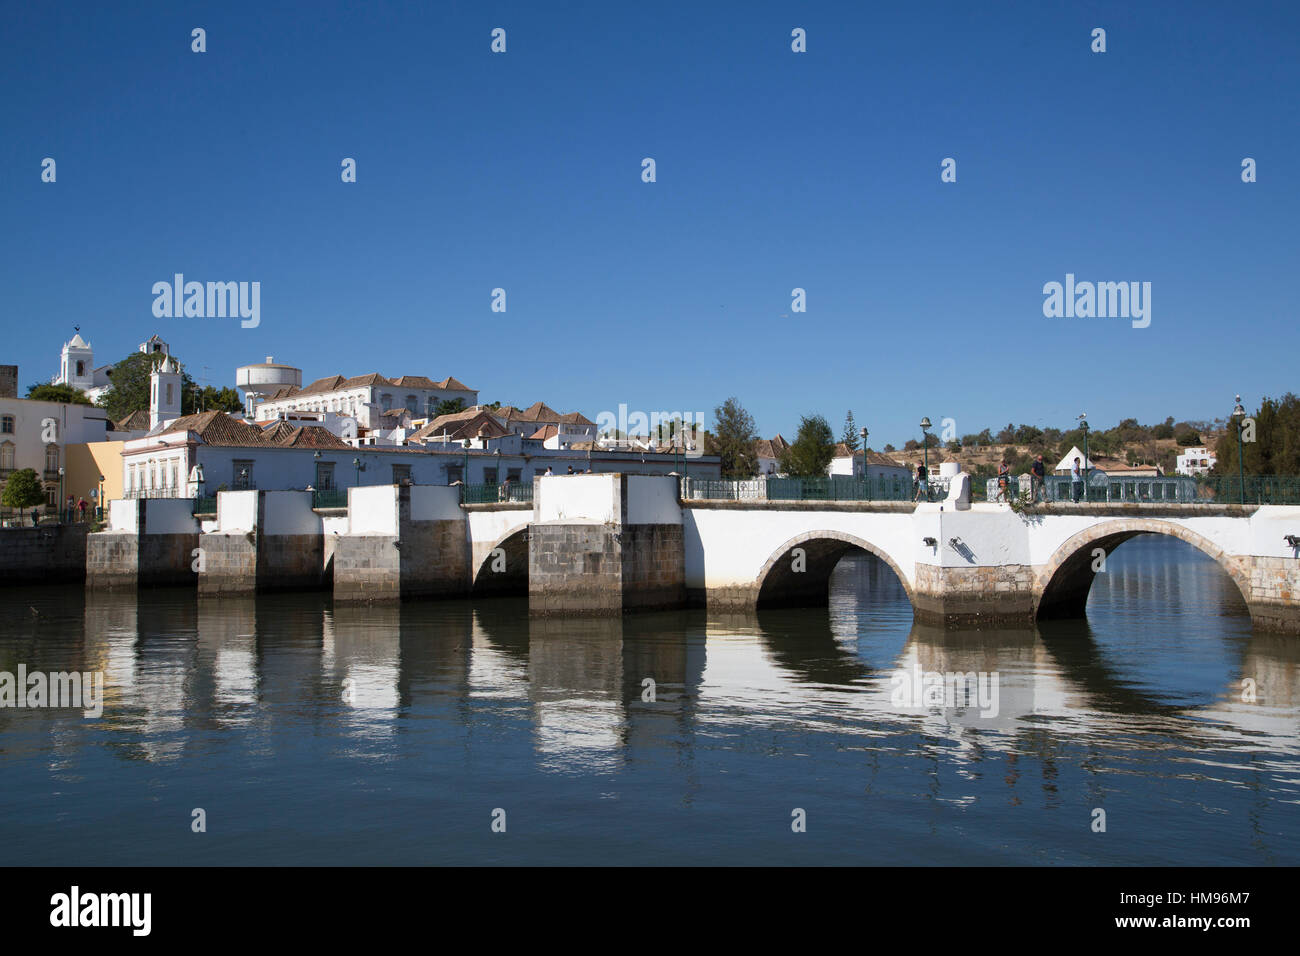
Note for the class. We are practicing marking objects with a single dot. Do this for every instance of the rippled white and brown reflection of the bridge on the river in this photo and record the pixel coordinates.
(175, 665)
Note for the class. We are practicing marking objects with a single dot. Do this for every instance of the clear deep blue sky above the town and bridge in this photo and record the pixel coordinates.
(775, 171)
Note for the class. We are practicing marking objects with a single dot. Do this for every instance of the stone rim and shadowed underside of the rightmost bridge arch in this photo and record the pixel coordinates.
(1069, 574)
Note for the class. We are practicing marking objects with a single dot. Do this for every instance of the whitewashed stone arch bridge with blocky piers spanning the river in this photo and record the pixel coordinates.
(608, 544)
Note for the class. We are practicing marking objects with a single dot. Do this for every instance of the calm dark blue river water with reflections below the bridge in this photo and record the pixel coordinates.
(309, 734)
